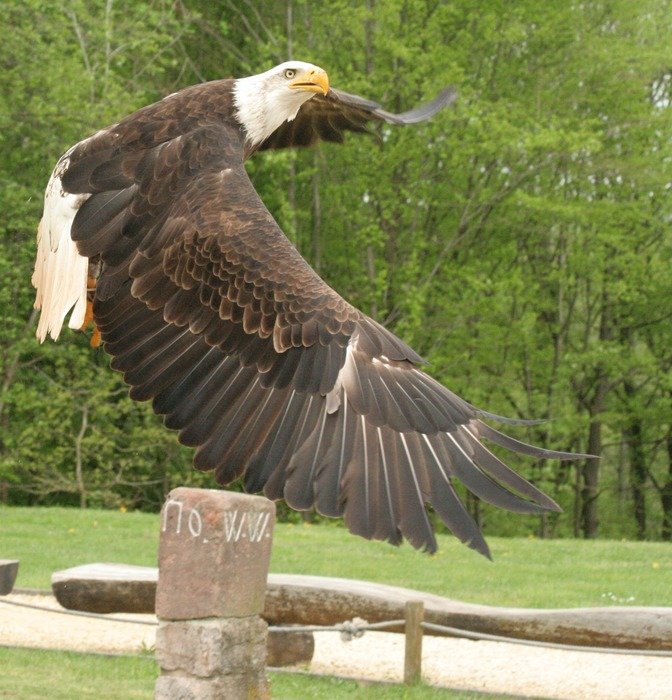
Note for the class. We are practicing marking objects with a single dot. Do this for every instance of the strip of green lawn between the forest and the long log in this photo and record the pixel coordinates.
(525, 573)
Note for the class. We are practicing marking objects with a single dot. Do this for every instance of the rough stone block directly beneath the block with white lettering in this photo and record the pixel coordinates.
(215, 647)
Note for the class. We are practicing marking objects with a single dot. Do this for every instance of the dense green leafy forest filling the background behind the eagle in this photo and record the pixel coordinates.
(520, 242)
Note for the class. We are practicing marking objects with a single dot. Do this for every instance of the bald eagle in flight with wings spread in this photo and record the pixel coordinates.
(153, 230)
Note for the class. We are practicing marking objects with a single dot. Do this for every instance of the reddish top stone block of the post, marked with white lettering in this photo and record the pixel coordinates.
(214, 553)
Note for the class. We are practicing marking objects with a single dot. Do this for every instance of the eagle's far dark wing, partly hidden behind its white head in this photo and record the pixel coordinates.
(328, 117)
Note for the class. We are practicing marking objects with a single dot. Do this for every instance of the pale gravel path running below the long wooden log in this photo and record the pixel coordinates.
(455, 663)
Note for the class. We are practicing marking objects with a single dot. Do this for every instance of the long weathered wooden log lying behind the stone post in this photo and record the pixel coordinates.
(319, 600)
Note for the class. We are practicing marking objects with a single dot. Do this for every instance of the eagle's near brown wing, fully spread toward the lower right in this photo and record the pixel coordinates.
(210, 312)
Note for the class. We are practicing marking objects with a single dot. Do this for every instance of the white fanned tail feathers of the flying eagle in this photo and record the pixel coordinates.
(60, 275)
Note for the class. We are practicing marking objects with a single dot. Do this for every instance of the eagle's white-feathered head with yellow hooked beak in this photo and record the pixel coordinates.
(263, 102)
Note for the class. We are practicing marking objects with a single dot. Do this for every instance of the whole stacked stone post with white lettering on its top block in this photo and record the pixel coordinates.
(214, 553)
